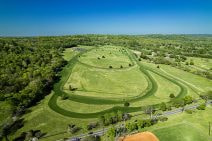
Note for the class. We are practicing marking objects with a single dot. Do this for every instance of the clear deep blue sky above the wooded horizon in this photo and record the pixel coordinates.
(65, 17)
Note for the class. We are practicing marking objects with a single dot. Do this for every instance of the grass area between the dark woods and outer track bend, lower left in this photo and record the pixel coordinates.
(41, 117)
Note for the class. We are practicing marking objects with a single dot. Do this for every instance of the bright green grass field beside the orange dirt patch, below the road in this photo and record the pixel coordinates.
(185, 127)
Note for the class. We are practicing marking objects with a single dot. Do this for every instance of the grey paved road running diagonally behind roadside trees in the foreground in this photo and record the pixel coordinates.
(168, 113)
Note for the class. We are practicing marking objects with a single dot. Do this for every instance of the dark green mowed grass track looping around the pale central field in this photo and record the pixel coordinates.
(151, 89)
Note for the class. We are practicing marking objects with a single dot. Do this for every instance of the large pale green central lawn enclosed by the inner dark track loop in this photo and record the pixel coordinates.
(106, 83)
